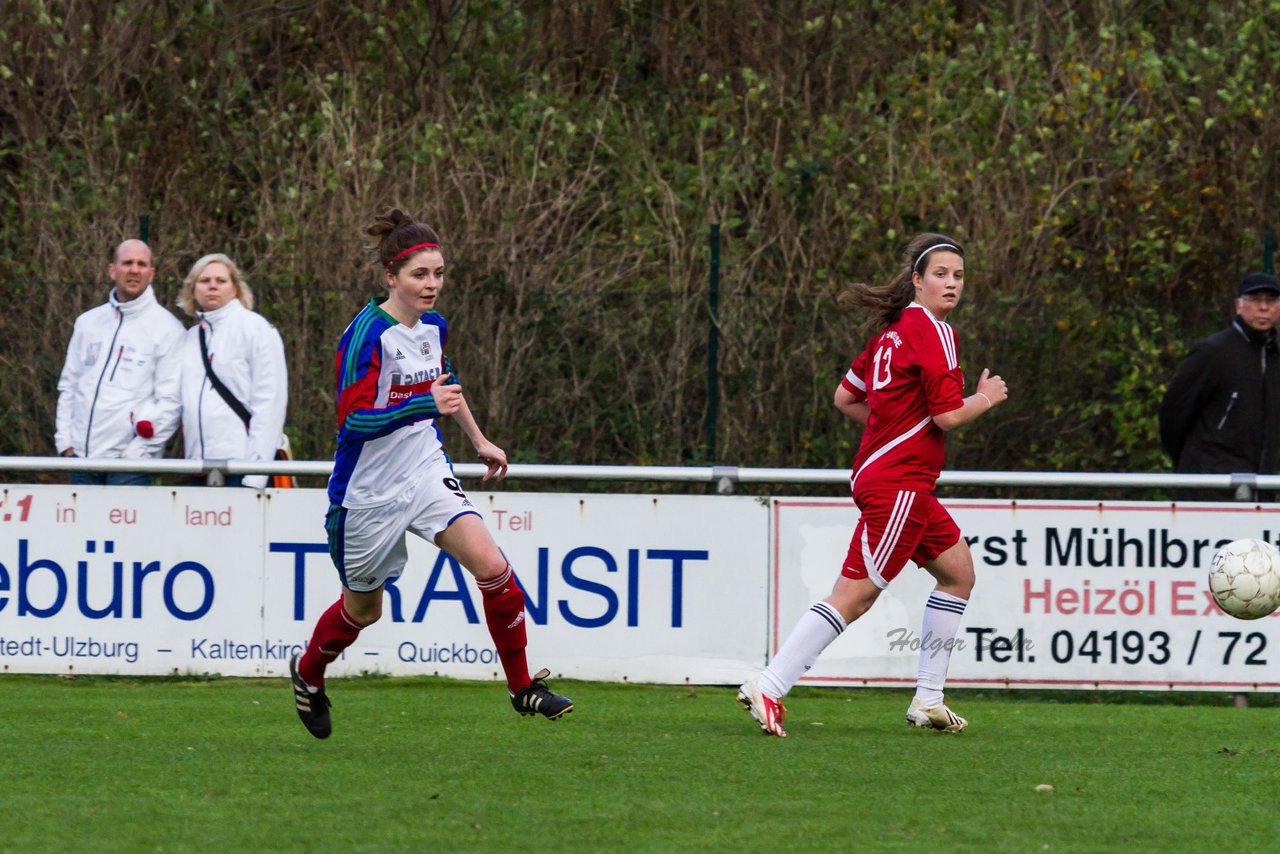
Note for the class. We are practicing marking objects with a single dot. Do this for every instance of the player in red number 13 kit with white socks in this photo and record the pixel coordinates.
(908, 391)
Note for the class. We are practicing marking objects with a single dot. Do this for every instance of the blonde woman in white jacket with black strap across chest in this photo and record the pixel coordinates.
(234, 344)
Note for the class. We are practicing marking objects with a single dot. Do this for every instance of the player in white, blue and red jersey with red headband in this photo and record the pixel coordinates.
(392, 477)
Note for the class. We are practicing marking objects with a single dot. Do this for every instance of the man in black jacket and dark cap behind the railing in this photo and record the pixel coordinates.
(1222, 413)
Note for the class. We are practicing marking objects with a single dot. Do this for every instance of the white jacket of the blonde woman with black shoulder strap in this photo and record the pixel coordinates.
(248, 355)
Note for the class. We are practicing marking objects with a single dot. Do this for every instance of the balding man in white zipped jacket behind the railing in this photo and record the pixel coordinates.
(118, 396)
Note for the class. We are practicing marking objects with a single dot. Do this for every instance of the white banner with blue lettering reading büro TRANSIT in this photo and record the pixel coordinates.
(163, 581)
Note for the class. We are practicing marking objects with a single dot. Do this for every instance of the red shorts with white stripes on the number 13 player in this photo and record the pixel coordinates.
(898, 527)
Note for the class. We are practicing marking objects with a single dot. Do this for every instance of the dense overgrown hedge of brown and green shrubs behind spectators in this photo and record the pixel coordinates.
(1112, 168)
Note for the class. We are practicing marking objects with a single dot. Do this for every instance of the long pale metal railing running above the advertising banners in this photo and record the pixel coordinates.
(725, 477)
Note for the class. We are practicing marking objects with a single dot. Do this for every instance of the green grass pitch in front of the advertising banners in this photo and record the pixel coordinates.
(440, 765)
